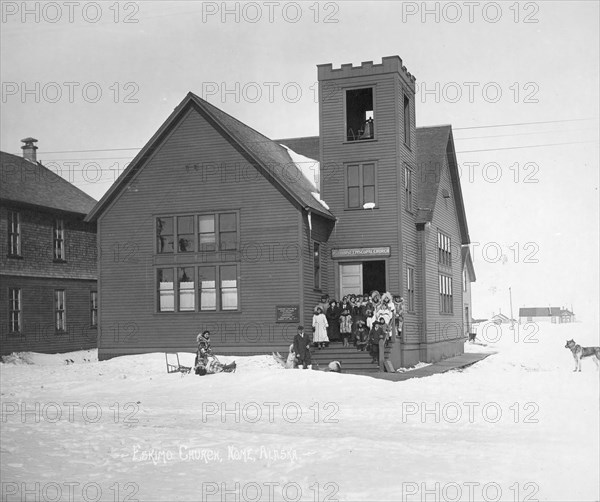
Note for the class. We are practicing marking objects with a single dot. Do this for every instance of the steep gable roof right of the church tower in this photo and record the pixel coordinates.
(435, 145)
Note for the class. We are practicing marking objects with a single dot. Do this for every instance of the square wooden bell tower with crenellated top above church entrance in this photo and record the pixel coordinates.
(367, 142)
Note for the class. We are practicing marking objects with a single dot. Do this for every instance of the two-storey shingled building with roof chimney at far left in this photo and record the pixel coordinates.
(48, 260)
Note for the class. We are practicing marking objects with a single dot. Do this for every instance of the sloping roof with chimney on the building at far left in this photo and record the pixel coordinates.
(31, 183)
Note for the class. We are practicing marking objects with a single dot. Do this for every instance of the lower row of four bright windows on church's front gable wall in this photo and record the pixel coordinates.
(216, 290)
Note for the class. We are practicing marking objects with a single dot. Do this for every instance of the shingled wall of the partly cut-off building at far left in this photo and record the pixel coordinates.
(37, 275)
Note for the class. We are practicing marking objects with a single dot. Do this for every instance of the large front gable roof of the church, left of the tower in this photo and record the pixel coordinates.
(270, 158)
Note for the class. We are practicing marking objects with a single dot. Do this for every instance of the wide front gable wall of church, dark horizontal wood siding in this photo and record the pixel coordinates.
(183, 178)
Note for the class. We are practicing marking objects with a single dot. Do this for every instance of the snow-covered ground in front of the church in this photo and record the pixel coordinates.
(519, 425)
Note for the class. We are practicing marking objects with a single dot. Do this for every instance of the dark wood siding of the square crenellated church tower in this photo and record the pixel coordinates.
(384, 225)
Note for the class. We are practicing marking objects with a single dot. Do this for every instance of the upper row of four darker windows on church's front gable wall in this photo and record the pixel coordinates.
(202, 232)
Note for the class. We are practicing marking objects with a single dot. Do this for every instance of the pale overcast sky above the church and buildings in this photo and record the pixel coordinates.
(518, 81)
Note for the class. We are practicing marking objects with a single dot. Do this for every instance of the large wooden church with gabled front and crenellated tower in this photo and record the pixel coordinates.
(228, 231)
